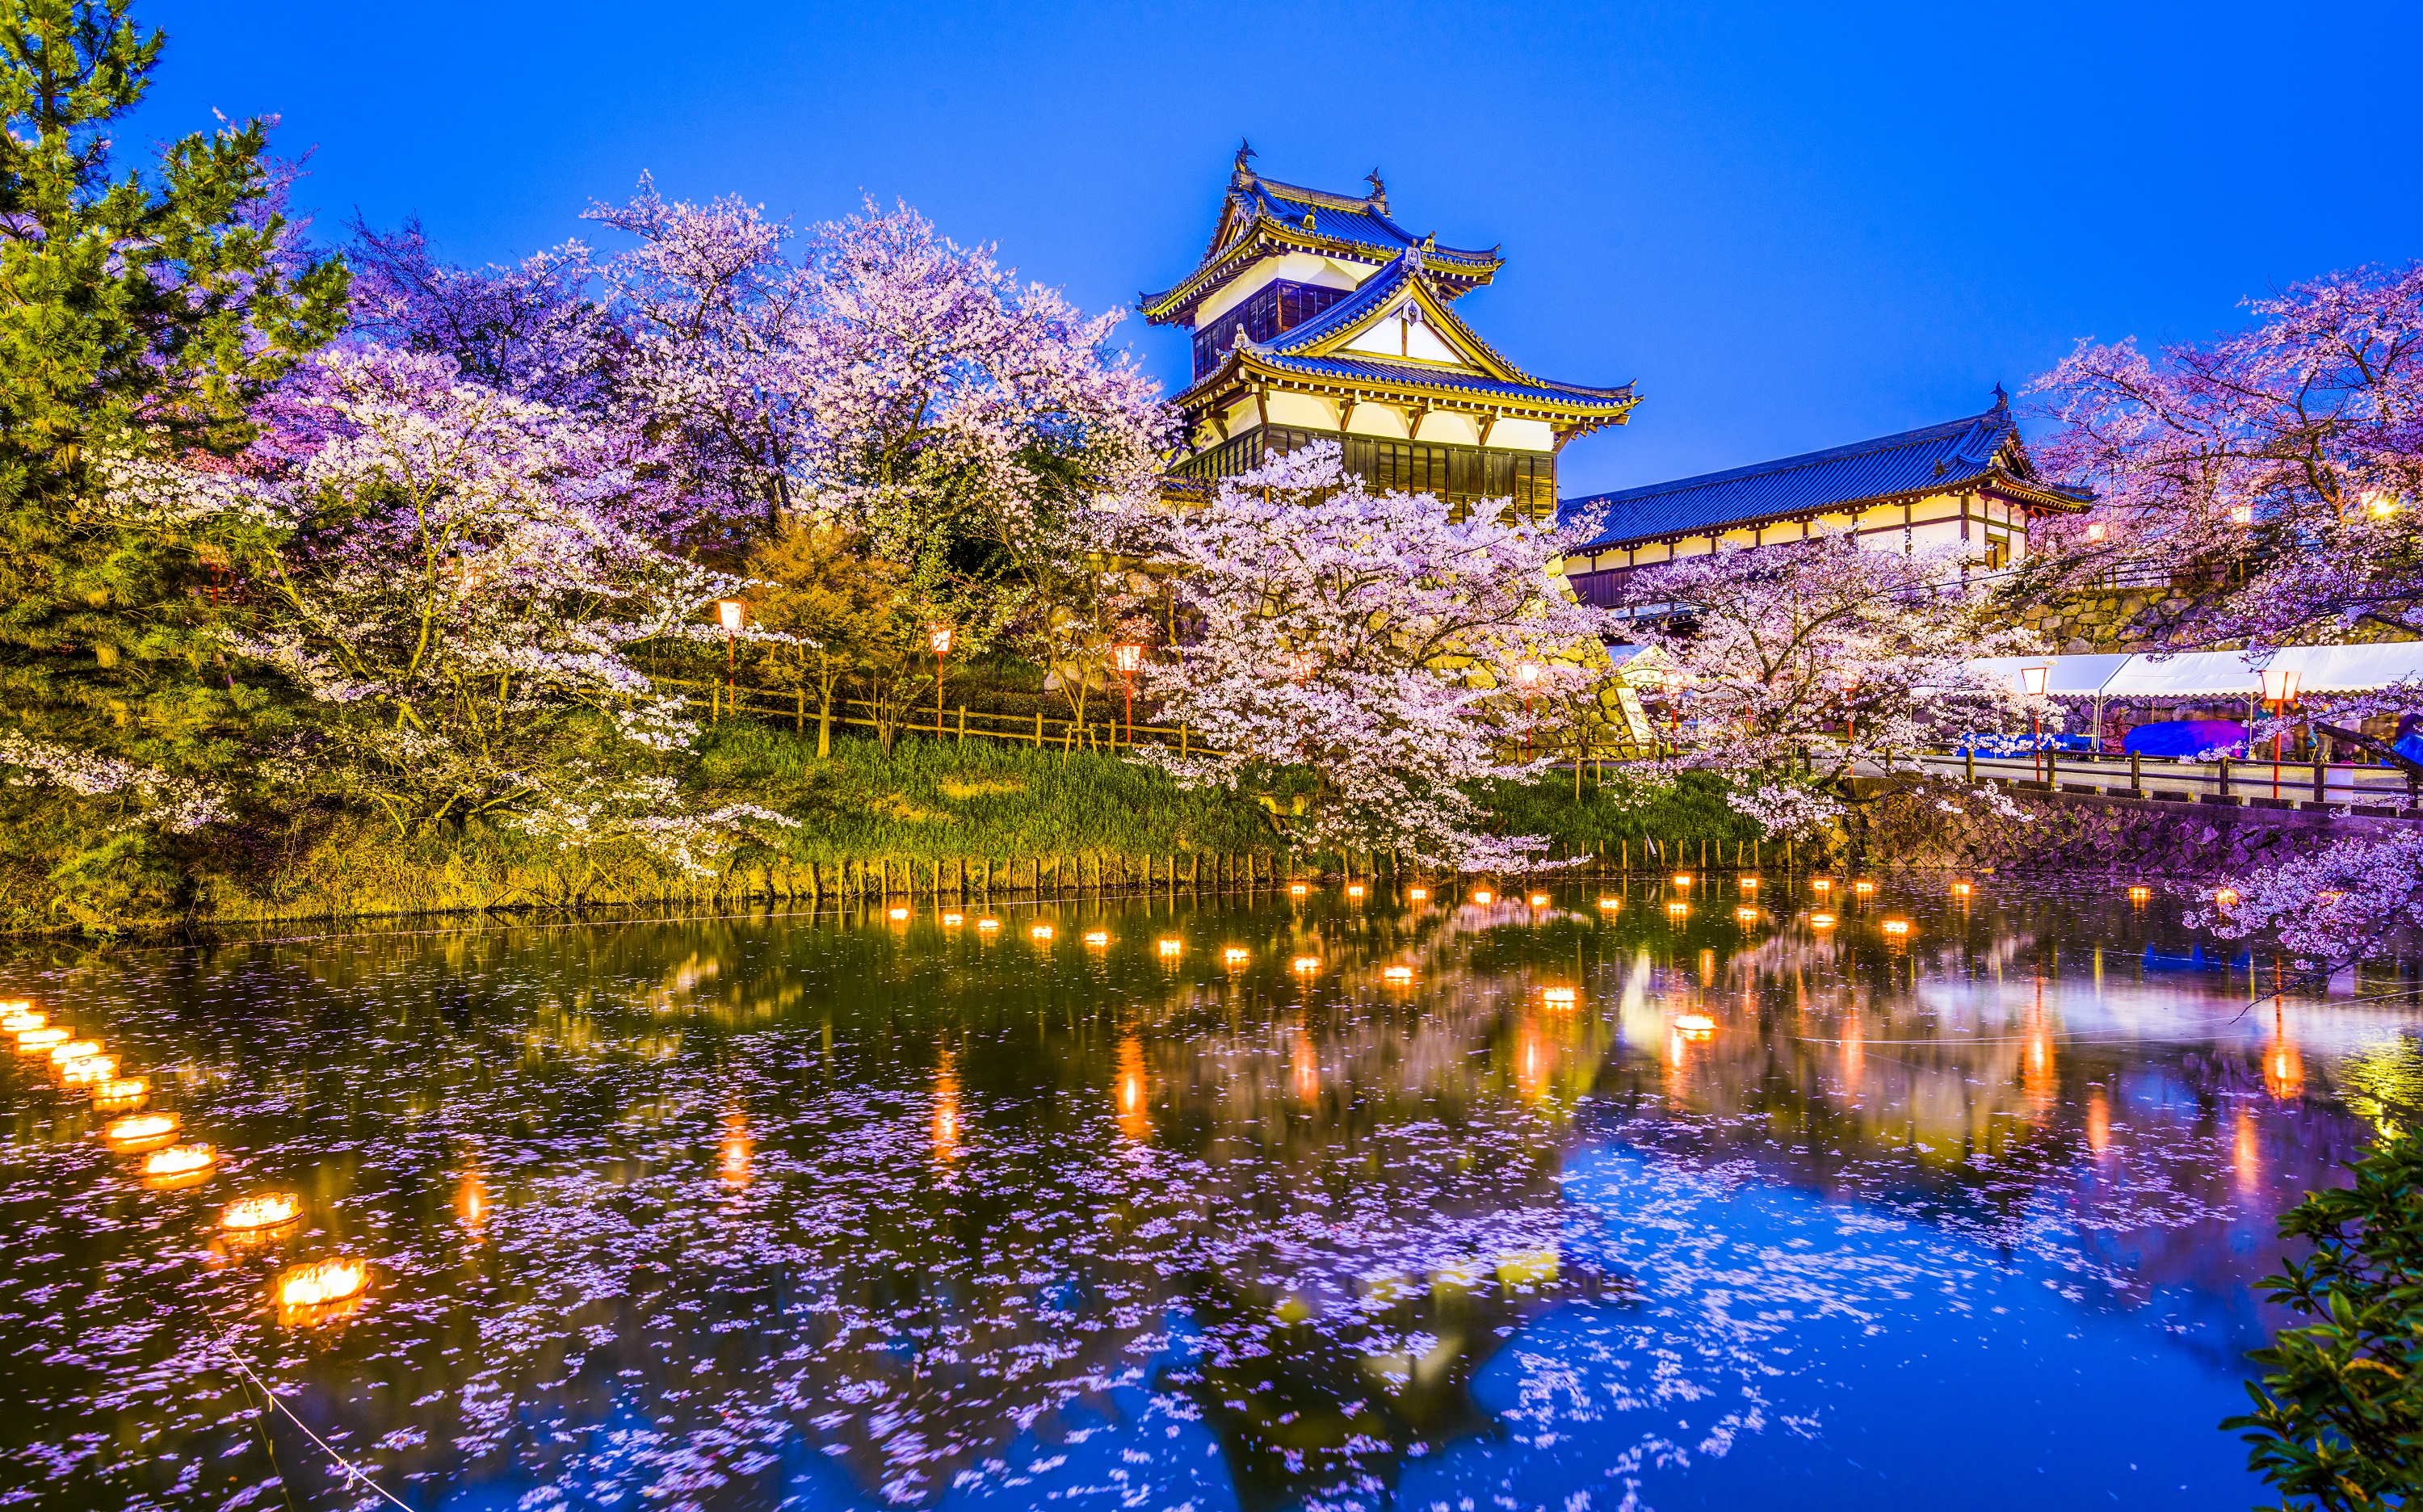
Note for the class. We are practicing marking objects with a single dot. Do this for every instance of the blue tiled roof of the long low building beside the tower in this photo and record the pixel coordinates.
(1927, 462)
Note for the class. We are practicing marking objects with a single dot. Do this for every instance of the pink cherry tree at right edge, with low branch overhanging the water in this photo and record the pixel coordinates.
(2286, 459)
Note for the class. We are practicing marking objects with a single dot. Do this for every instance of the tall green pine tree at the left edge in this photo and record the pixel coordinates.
(142, 314)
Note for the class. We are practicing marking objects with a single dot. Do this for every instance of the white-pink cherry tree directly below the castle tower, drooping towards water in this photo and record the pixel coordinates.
(1351, 668)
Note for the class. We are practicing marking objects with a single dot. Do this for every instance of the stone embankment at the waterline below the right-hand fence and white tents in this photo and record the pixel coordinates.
(2104, 837)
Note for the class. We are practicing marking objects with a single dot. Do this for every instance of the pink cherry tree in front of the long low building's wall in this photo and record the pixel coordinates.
(1802, 665)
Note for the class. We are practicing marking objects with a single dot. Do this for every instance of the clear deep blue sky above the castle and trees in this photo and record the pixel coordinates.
(1794, 227)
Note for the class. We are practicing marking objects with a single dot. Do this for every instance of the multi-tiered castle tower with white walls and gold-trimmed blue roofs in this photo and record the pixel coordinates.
(1319, 319)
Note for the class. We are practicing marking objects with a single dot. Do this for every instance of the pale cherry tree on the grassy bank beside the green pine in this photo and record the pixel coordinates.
(454, 583)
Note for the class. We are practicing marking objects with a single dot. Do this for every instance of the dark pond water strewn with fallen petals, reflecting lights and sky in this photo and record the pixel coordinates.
(847, 1213)
